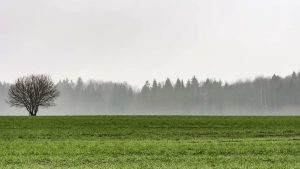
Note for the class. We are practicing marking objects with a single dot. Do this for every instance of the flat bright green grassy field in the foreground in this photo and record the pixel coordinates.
(150, 142)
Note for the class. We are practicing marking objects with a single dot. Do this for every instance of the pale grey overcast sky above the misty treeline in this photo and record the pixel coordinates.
(138, 40)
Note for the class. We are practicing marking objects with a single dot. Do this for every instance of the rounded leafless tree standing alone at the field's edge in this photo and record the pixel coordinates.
(33, 92)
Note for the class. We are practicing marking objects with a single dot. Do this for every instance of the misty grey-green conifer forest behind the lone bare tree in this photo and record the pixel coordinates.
(262, 96)
